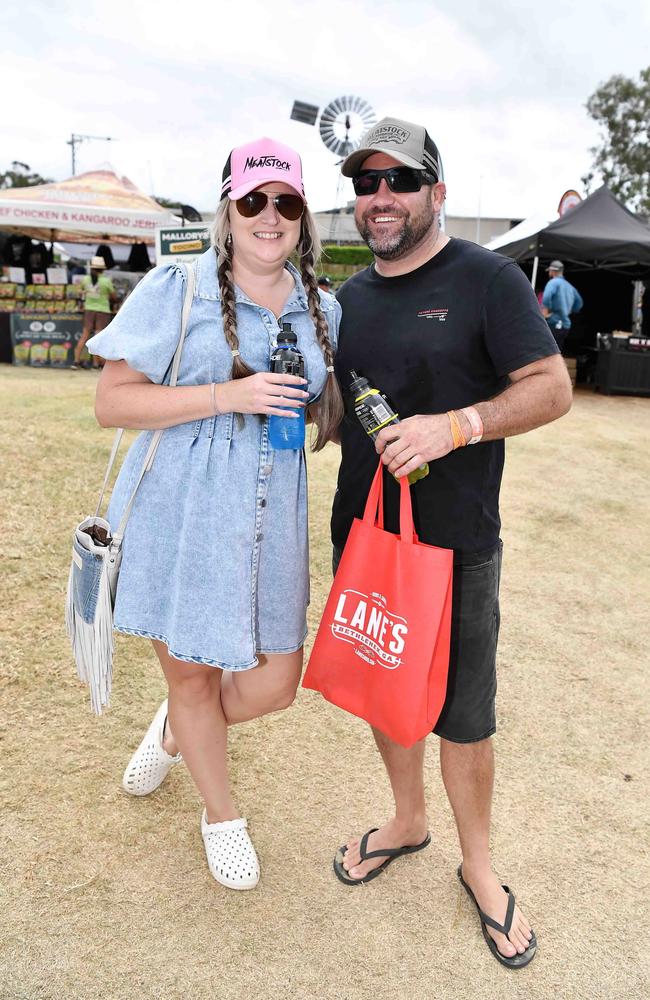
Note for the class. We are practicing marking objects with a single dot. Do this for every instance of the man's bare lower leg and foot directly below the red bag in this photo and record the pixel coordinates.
(409, 825)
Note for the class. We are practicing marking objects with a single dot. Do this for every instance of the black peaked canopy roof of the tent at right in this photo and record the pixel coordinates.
(599, 232)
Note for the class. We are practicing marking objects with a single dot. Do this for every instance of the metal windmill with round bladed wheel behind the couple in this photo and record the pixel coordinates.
(343, 123)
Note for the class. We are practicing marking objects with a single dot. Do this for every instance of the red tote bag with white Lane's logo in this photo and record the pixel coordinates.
(382, 647)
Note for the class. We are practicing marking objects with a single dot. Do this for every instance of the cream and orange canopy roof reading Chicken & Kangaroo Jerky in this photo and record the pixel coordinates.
(97, 206)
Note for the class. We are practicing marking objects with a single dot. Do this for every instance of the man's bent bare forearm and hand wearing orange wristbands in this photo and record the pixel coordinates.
(537, 394)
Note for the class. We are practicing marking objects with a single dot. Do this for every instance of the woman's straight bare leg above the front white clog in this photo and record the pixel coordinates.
(199, 729)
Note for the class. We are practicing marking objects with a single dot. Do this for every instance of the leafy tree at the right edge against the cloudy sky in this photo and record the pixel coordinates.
(621, 107)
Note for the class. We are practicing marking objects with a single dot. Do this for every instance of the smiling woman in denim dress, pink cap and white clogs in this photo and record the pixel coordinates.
(215, 555)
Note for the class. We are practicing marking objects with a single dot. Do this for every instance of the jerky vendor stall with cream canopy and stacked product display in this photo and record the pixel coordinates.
(41, 313)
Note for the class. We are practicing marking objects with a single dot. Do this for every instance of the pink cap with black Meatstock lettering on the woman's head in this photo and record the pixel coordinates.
(258, 163)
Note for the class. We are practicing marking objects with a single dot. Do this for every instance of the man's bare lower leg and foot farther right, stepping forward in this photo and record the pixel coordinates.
(468, 775)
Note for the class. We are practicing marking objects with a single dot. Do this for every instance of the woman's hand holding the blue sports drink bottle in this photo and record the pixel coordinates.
(264, 392)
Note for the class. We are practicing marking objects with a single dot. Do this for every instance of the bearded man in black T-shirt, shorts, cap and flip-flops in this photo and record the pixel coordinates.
(441, 325)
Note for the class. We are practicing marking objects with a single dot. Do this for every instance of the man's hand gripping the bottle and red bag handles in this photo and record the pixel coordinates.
(412, 442)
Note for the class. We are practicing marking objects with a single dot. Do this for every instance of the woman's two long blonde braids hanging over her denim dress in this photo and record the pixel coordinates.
(330, 404)
